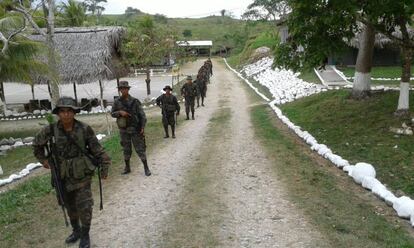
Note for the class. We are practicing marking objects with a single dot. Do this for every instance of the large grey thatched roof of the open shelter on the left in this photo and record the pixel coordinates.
(86, 54)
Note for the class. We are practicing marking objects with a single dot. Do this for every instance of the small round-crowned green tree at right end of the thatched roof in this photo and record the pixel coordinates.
(148, 44)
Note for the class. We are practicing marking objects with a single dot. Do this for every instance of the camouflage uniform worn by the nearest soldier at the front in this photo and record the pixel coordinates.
(75, 168)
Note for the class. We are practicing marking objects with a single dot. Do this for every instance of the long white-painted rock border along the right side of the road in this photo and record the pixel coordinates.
(362, 173)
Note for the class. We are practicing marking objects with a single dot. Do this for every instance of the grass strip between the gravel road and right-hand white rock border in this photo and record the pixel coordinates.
(343, 217)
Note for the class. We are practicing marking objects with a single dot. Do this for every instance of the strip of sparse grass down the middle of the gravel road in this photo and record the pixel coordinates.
(197, 220)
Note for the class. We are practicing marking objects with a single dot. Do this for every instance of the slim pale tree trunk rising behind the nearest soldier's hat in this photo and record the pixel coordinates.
(54, 84)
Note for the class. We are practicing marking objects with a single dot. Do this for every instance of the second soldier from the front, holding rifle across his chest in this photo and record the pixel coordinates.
(131, 121)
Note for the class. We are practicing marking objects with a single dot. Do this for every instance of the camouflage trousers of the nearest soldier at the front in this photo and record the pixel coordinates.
(79, 204)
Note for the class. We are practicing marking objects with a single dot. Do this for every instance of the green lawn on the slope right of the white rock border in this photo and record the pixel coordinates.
(359, 132)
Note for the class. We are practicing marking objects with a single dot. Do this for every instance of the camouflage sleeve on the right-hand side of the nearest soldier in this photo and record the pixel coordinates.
(97, 150)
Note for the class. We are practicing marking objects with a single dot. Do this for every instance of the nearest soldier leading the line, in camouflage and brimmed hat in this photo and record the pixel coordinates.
(72, 165)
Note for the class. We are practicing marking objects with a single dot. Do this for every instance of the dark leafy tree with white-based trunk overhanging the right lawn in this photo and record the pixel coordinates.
(328, 25)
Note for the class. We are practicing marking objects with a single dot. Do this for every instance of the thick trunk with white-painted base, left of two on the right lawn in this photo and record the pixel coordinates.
(362, 77)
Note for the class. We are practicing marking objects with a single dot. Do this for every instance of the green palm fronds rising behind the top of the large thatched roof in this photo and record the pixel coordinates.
(74, 13)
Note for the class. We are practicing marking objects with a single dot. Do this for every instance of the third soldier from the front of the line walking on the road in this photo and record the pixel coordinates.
(169, 105)
